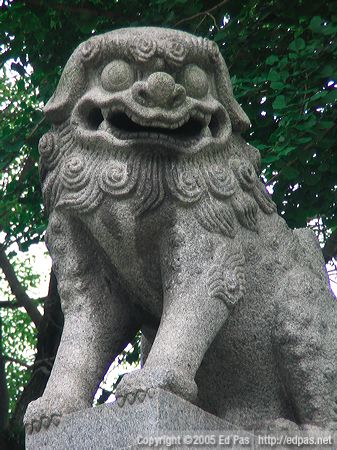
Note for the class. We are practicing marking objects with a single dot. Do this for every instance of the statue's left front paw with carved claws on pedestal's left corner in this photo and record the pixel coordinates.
(44, 412)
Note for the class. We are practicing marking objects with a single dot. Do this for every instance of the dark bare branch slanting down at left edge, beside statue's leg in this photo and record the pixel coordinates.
(17, 289)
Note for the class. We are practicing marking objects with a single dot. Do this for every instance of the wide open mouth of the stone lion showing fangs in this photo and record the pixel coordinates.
(125, 126)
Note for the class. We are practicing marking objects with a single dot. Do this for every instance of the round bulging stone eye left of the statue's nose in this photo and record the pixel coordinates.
(117, 76)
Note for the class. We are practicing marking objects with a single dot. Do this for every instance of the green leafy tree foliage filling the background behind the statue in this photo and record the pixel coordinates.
(283, 60)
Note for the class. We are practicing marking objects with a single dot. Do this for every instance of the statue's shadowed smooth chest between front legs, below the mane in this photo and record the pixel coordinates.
(131, 242)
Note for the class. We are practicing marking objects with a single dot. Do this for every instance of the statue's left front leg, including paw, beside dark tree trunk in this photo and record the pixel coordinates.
(97, 324)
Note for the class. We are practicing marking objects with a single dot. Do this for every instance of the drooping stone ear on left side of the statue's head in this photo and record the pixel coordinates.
(69, 89)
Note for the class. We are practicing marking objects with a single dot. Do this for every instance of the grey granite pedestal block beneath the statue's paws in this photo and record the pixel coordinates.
(109, 426)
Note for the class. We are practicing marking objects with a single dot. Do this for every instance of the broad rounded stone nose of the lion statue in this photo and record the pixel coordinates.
(161, 90)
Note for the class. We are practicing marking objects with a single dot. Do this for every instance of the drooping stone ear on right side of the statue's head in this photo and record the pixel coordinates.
(239, 119)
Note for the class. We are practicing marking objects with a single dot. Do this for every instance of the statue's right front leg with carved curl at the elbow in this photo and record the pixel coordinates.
(201, 281)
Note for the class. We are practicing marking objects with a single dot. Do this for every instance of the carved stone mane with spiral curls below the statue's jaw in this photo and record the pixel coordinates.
(224, 184)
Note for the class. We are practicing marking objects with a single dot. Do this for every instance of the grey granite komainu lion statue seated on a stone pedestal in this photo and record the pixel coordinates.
(159, 222)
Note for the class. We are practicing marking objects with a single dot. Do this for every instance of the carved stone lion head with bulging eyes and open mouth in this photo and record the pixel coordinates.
(148, 86)
